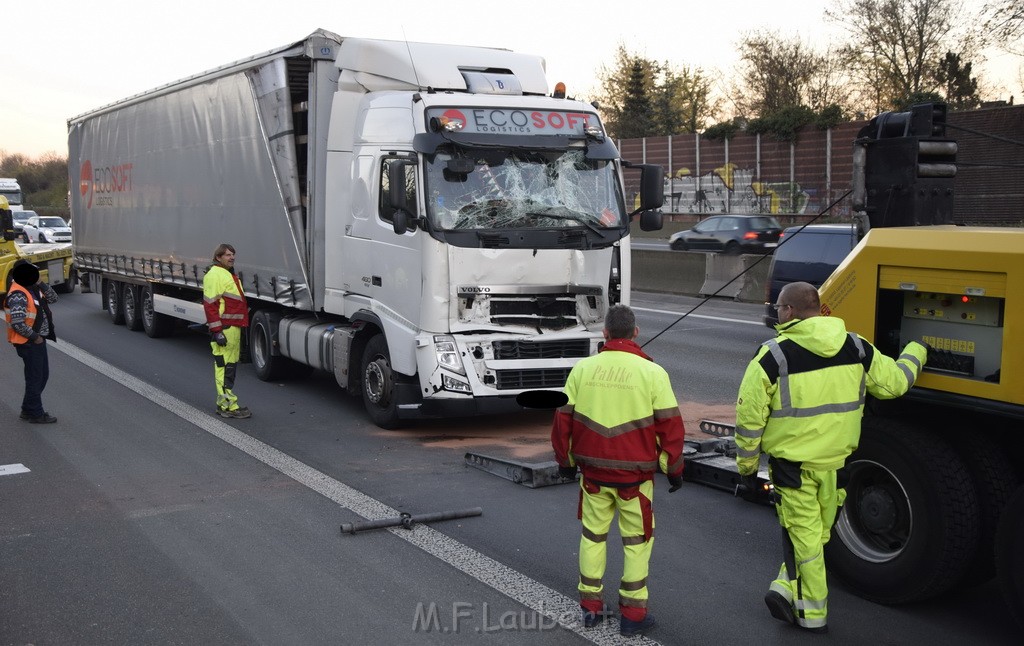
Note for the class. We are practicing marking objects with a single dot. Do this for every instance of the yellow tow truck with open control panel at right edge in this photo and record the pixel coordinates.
(935, 497)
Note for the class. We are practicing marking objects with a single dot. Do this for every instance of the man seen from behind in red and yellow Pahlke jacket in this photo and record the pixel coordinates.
(620, 426)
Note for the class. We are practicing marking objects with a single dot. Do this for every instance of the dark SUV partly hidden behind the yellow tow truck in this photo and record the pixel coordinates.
(810, 255)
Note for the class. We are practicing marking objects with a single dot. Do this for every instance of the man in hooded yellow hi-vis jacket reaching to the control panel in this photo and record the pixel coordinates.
(801, 403)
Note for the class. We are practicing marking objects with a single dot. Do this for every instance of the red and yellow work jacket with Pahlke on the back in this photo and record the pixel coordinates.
(622, 423)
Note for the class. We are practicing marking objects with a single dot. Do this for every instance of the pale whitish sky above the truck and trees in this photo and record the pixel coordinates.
(62, 59)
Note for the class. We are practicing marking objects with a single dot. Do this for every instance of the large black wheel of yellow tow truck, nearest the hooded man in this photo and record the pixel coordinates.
(910, 529)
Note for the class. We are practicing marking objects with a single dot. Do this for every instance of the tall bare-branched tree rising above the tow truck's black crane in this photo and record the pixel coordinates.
(897, 47)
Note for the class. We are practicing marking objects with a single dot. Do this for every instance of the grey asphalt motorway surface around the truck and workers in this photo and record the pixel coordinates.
(146, 520)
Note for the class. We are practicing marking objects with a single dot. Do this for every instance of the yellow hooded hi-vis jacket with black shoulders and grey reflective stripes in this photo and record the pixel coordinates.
(802, 397)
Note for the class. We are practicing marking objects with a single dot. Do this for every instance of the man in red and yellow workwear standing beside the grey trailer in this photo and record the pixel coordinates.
(227, 315)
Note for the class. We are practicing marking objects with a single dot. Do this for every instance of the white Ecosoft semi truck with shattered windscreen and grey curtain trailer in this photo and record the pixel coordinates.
(423, 222)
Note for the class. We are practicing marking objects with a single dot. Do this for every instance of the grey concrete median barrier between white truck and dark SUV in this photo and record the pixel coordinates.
(699, 274)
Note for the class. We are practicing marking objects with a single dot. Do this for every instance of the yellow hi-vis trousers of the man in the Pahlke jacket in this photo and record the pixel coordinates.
(636, 527)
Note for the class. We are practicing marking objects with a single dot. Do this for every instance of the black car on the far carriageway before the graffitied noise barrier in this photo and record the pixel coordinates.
(731, 235)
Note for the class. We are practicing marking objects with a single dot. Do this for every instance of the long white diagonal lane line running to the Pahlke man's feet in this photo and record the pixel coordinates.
(536, 596)
